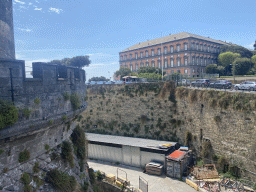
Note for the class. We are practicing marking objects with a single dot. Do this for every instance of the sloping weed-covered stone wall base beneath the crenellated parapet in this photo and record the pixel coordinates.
(26, 161)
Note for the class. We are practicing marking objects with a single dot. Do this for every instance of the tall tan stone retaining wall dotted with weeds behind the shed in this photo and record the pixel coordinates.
(213, 123)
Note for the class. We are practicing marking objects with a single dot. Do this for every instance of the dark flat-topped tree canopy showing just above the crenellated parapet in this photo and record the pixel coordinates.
(78, 61)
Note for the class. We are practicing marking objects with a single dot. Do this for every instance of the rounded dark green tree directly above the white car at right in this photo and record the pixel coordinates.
(243, 66)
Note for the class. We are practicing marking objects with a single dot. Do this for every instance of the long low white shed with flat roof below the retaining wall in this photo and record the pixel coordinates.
(131, 151)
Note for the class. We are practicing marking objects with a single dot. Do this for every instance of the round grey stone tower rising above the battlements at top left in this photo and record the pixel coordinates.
(7, 47)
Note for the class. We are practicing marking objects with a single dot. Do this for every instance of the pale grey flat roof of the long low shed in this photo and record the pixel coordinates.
(129, 141)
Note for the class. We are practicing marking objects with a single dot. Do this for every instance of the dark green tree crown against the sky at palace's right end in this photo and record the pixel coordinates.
(236, 49)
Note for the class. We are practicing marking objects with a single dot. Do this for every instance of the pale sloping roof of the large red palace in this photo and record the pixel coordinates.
(169, 38)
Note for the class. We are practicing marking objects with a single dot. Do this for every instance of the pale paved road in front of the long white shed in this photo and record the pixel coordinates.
(155, 183)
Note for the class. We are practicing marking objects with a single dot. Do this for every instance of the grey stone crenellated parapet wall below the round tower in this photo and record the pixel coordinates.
(43, 95)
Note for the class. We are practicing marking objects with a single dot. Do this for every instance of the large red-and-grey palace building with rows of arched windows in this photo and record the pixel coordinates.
(185, 53)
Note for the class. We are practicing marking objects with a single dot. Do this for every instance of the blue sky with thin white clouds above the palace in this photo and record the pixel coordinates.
(45, 30)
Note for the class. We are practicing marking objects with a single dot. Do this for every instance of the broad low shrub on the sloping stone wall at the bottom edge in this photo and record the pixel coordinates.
(61, 181)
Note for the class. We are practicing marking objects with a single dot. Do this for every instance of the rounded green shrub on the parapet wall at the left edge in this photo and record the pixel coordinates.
(8, 114)
